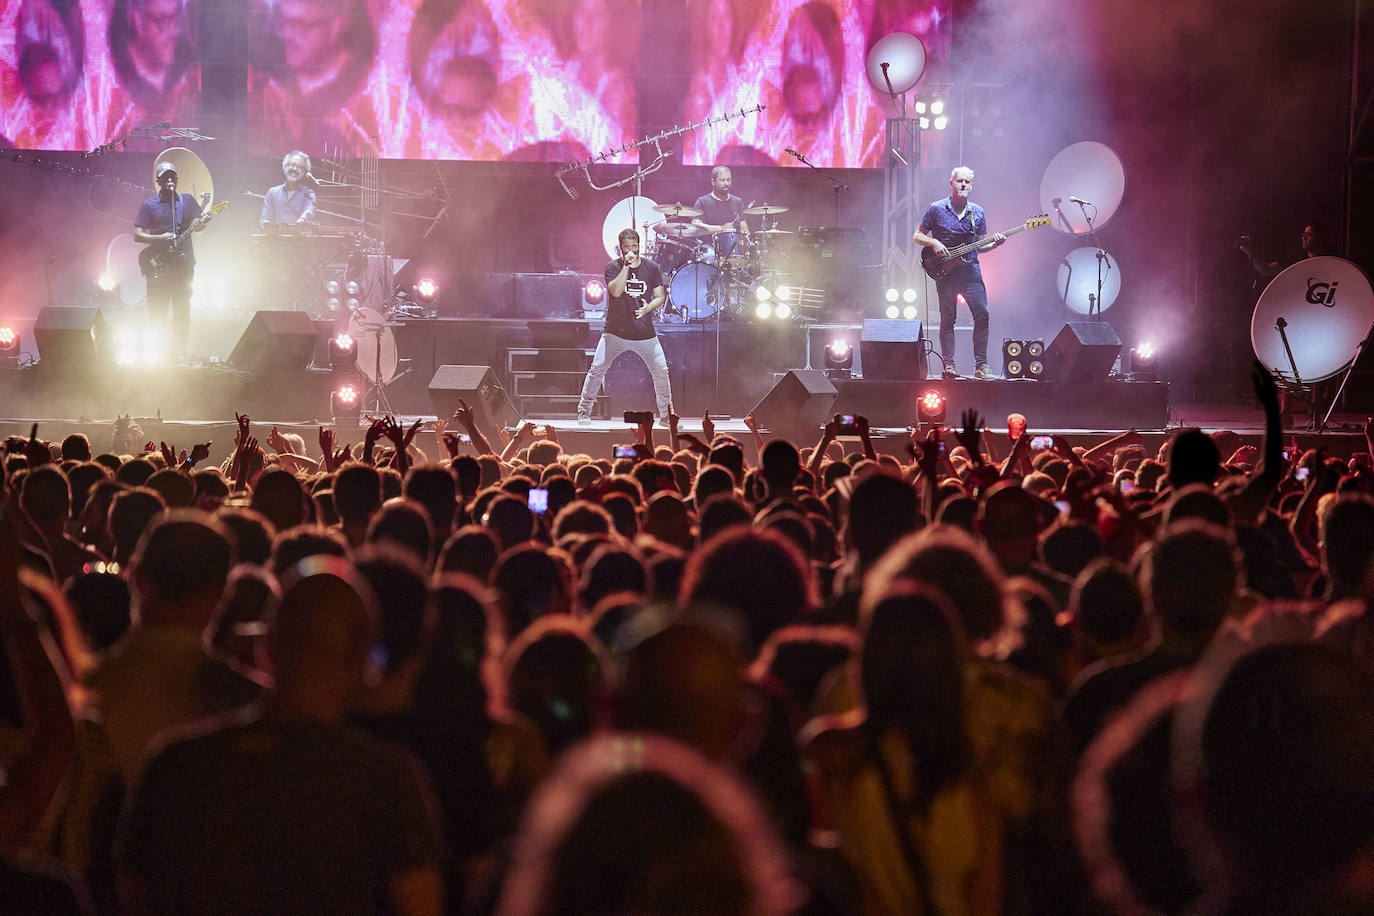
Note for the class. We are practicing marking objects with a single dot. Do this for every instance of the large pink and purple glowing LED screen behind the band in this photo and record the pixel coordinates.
(528, 80)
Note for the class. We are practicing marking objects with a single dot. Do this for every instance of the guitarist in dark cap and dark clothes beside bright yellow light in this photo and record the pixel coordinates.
(160, 220)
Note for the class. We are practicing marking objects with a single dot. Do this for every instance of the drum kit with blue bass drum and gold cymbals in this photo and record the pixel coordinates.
(710, 274)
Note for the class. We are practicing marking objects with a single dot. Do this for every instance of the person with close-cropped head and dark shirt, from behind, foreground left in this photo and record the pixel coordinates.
(285, 808)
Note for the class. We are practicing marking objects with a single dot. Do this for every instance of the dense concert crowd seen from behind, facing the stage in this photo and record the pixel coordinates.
(711, 676)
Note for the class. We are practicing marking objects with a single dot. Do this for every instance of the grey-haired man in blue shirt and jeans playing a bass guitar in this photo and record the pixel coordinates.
(949, 225)
